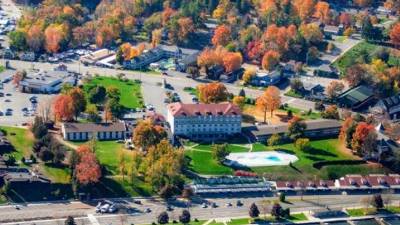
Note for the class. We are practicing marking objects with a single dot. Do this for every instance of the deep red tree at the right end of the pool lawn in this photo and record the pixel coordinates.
(360, 135)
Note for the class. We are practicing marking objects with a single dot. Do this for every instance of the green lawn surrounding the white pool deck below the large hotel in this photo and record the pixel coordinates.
(201, 161)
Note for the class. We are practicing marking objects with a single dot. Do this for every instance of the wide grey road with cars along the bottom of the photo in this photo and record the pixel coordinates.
(50, 213)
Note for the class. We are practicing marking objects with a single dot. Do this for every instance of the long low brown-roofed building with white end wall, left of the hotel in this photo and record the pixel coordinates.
(86, 131)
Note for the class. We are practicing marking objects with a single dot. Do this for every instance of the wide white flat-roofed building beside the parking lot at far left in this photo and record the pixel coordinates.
(47, 81)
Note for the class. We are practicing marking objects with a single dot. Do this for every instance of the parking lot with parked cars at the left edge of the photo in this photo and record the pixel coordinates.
(17, 108)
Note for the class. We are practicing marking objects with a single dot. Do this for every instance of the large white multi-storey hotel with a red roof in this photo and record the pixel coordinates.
(204, 121)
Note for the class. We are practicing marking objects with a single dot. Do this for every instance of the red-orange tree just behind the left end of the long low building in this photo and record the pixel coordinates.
(63, 108)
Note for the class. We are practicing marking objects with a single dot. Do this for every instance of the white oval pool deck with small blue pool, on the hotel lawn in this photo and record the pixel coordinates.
(256, 159)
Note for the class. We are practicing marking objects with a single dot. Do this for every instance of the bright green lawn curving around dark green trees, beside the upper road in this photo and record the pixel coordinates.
(131, 96)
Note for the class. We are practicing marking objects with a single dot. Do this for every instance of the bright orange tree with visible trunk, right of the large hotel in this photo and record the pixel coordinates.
(269, 101)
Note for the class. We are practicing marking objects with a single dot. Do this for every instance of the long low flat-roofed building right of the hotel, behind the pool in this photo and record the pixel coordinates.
(315, 129)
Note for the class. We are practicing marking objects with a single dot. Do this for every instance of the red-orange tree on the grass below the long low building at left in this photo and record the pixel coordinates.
(88, 169)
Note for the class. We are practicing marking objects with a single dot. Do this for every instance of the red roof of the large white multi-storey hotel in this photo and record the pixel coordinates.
(225, 109)
